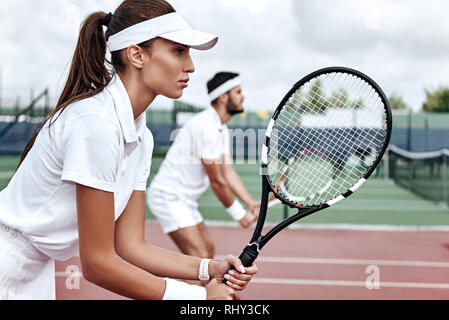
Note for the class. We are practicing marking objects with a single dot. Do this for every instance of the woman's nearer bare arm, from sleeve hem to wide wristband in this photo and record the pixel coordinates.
(100, 263)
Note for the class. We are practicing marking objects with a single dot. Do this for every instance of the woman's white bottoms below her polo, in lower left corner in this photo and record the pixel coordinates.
(25, 272)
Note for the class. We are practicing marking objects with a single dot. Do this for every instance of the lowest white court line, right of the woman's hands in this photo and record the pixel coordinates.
(349, 283)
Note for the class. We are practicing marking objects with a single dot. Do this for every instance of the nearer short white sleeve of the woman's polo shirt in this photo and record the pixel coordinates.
(91, 152)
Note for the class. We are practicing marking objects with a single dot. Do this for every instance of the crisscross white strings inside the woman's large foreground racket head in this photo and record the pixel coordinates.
(336, 141)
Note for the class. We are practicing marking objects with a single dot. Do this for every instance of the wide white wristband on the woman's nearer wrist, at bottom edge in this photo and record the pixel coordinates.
(178, 290)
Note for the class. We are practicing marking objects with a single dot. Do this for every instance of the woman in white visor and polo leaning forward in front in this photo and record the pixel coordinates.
(81, 179)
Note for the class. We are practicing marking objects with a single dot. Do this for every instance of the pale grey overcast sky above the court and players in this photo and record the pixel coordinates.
(401, 44)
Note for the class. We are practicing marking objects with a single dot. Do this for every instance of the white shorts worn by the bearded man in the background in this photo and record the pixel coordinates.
(173, 211)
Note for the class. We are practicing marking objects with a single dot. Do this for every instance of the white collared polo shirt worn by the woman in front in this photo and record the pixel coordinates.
(95, 142)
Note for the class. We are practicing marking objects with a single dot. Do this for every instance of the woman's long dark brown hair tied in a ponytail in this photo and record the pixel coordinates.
(89, 73)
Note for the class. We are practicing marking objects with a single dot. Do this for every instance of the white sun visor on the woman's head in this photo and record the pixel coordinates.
(170, 26)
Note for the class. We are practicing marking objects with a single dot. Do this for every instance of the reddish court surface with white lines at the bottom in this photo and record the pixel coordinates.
(316, 264)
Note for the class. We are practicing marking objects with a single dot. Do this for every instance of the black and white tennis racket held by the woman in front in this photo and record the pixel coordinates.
(323, 142)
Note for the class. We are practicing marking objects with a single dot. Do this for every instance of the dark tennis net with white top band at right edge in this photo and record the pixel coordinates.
(424, 173)
